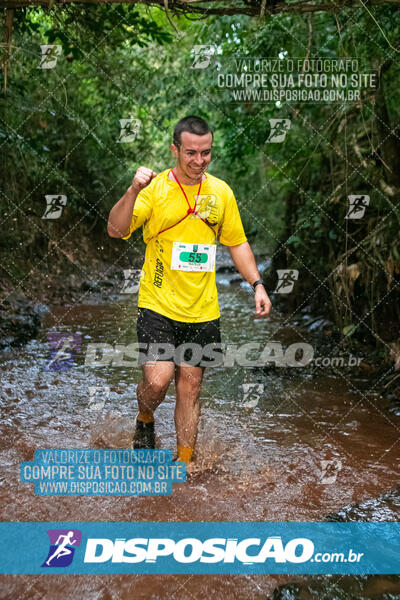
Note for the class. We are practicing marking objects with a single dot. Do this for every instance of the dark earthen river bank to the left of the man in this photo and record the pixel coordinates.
(82, 273)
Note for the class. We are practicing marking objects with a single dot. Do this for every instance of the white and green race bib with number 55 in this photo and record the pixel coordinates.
(193, 257)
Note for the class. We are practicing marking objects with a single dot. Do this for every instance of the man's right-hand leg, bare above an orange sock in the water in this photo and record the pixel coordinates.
(188, 381)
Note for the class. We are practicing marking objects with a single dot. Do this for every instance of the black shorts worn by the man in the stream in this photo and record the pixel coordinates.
(162, 338)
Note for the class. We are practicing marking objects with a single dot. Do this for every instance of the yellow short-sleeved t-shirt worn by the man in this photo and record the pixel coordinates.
(183, 295)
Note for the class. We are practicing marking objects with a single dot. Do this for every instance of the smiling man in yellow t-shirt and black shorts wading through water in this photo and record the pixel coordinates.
(183, 211)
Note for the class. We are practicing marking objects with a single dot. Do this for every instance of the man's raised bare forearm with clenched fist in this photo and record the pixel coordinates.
(120, 217)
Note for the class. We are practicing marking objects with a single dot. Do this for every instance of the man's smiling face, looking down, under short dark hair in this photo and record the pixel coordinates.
(194, 154)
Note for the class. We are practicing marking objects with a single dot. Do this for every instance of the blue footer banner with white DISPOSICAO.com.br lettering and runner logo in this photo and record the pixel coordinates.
(200, 548)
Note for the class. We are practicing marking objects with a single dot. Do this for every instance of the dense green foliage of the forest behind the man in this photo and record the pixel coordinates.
(60, 129)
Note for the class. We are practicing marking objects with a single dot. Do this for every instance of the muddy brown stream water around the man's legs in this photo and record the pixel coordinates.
(253, 464)
